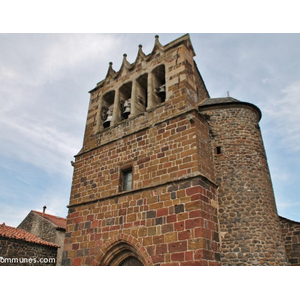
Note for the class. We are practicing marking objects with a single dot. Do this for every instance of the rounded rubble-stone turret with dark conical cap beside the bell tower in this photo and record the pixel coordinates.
(248, 222)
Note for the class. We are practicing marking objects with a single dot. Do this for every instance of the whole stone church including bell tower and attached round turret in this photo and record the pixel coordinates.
(167, 175)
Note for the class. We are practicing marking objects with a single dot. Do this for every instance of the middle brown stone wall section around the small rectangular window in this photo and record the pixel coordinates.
(169, 151)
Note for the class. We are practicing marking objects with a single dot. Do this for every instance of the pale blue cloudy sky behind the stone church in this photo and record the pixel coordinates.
(44, 84)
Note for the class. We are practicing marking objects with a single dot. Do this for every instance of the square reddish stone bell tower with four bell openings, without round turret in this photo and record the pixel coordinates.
(143, 190)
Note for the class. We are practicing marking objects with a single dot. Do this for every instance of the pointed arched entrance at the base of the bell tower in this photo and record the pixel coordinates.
(122, 254)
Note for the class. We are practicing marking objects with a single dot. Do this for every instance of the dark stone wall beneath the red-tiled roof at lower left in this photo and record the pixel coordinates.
(21, 253)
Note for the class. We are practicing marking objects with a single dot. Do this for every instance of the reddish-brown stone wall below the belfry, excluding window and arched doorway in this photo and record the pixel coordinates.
(170, 215)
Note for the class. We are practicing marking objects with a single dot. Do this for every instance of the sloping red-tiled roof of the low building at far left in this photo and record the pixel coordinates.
(20, 234)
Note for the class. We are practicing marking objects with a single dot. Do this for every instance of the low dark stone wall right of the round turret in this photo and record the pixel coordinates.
(291, 238)
